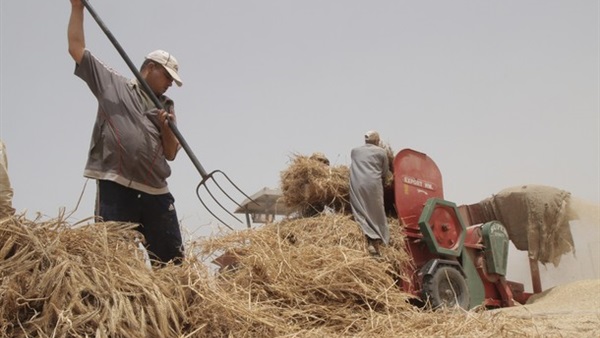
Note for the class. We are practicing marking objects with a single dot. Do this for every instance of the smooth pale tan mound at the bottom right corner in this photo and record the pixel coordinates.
(569, 310)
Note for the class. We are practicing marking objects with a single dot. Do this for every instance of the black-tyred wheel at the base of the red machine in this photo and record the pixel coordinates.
(446, 287)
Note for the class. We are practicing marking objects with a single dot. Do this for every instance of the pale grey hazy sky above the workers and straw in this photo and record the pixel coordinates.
(498, 93)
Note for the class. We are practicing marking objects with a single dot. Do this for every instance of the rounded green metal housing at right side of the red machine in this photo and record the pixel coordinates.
(495, 239)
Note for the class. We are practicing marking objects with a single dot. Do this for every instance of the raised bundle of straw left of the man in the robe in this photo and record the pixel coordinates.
(308, 186)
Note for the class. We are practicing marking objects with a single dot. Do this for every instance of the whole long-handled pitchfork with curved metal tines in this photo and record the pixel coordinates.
(206, 177)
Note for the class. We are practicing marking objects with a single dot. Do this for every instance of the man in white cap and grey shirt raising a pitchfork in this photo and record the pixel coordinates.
(131, 143)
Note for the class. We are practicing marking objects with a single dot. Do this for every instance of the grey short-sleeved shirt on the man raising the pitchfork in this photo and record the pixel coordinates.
(126, 145)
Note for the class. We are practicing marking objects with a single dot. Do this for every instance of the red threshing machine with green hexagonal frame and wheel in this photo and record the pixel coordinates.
(438, 237)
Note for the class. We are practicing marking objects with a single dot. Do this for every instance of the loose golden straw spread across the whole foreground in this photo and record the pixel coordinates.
(296, 278)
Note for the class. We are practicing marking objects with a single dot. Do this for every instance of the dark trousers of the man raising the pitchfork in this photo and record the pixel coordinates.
(155, 215)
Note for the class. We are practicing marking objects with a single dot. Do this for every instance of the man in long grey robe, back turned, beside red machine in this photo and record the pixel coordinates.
(368, 170)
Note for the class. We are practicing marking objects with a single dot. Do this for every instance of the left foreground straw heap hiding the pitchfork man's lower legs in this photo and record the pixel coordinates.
(80, 281)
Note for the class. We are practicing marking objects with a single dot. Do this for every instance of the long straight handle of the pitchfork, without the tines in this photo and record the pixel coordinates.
(146, 88)
